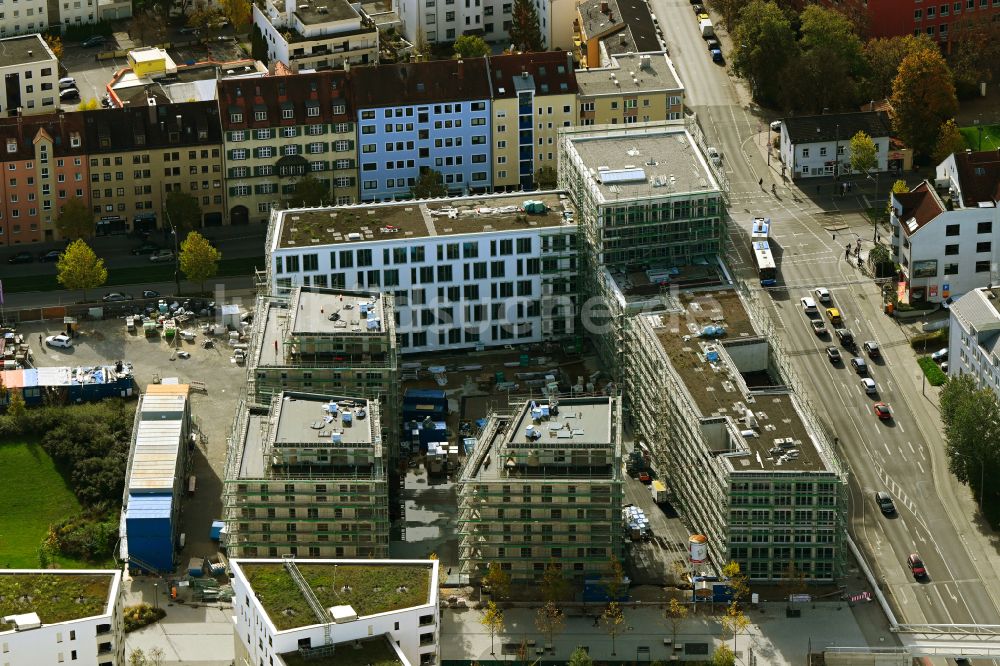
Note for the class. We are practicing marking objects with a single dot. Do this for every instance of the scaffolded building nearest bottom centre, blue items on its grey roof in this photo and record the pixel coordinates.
(544, 484)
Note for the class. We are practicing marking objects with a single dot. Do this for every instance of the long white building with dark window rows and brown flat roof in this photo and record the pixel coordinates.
(464, 272)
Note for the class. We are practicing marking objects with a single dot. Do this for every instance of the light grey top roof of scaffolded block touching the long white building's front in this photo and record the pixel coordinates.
(329, 312)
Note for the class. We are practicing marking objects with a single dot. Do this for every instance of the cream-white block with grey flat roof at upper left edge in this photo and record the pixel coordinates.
(29, 74)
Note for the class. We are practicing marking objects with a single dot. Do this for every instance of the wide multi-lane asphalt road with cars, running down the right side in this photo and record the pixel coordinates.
(904, 456)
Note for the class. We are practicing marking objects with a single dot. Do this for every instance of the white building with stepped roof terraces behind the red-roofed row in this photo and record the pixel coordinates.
(316, 34)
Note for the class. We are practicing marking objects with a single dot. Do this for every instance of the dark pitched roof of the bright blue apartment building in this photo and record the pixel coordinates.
(420, 82)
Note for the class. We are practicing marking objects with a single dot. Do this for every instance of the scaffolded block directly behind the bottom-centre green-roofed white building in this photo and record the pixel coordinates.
(307, 477)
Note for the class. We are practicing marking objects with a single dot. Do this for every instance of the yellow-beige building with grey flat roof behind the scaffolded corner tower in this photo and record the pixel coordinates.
(634, 88)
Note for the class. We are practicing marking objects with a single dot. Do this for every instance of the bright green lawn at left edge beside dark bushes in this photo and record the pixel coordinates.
(33, 495)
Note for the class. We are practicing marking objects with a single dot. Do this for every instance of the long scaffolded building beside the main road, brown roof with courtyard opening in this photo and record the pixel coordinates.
(744, 458)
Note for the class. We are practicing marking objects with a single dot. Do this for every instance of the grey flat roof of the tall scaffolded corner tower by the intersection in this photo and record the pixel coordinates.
(650, 162)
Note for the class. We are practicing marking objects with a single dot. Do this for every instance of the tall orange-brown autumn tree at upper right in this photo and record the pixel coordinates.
(923, 97)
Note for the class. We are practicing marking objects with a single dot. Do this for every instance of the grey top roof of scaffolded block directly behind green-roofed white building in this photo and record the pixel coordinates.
(313, 420)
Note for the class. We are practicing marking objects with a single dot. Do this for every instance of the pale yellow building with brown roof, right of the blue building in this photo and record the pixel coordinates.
(534, 94)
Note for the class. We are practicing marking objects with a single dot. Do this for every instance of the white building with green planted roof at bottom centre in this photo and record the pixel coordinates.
(341, 608)
